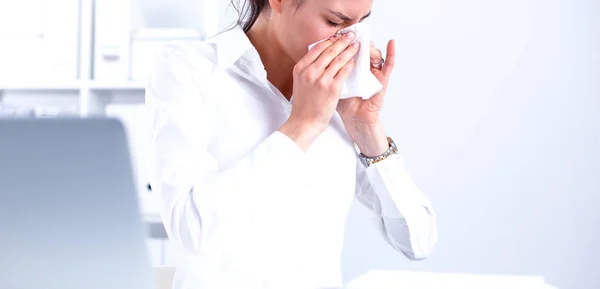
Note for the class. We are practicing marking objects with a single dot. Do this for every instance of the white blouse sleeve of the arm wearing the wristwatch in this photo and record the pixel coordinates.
(403, 215)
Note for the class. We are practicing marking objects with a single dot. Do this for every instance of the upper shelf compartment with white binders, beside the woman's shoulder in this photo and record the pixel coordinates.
(128, 33)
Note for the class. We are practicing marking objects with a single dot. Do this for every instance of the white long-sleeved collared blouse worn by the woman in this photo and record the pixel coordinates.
(251, 209)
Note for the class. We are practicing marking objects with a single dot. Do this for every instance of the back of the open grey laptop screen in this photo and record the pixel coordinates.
(69, 214)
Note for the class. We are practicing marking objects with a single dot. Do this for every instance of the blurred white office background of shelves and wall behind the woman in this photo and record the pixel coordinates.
(495, 106)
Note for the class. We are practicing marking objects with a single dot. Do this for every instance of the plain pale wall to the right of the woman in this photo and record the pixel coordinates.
(496, 108)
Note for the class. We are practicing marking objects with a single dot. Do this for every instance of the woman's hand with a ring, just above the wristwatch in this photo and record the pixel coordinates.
(361, 117)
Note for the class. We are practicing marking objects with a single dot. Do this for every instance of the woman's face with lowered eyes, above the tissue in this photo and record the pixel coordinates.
(303, 22)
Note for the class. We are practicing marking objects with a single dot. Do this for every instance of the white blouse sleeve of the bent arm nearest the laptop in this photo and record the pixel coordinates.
(197, 196)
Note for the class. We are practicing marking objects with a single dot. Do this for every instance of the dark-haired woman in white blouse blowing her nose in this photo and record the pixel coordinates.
(254, 154)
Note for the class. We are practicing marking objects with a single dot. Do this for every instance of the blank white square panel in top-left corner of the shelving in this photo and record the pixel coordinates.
(39, 40)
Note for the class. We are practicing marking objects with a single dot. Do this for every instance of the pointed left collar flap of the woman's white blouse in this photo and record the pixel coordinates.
(231, 45)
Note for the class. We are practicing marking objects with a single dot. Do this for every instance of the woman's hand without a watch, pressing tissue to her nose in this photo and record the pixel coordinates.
(318, 80)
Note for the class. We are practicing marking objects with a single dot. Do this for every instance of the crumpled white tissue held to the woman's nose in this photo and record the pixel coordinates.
(361, 82)
